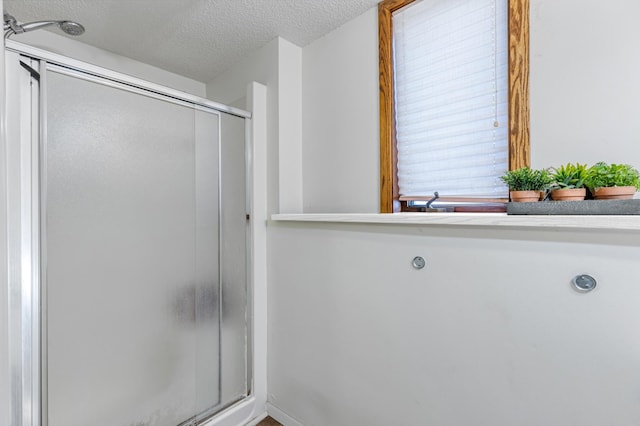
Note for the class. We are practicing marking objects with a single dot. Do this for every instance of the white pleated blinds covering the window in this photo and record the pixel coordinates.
(450, 70)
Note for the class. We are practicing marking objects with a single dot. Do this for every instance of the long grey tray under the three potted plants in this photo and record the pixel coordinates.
(587, 207)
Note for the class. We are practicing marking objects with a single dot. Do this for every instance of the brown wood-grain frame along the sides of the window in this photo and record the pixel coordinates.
(519, 151)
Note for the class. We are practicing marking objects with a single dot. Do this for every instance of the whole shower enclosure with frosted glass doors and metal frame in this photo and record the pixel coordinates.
(131, 305)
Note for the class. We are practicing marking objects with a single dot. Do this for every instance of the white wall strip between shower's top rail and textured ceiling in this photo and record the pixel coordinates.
(77, 50)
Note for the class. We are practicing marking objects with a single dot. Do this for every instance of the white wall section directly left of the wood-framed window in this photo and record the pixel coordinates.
(341, 165)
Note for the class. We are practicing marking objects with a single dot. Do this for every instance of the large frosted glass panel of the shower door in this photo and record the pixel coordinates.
(130, 242)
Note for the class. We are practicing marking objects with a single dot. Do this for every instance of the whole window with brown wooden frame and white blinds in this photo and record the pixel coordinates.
(405, 132)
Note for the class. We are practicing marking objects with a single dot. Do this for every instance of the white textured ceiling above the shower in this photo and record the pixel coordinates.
(194, 38)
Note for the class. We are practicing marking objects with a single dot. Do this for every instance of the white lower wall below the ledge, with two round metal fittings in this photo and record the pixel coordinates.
(490, 333)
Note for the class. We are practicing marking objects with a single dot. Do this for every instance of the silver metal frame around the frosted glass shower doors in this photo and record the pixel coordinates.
(25, 243)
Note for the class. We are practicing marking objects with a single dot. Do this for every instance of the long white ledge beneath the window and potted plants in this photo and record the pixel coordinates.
(625, 223)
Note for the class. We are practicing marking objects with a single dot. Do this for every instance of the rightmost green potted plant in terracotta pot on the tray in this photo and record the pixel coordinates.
(612, 181)
